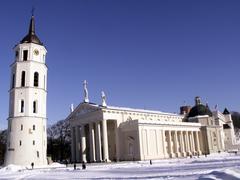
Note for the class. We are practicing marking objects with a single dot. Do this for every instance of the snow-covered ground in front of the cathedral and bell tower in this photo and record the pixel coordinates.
(217, 166)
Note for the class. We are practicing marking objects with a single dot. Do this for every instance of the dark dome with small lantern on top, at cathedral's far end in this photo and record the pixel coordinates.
(199, 109)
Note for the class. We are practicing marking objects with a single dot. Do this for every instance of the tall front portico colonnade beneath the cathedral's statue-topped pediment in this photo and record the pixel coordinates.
(93, 144)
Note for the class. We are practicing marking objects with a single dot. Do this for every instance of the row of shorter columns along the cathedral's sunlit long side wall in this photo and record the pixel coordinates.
(182, 143)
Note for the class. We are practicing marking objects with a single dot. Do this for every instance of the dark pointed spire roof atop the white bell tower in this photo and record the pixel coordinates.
(31, 37)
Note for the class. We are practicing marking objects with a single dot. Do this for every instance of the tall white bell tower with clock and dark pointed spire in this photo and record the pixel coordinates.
(27, 128)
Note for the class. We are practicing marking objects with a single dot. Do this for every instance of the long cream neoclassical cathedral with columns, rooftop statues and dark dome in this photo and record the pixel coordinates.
(109, 133)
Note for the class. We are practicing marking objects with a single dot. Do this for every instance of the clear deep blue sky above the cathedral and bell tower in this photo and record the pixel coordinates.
(143, 54)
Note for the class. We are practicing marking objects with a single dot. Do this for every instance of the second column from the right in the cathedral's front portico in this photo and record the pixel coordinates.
(98, 142)
